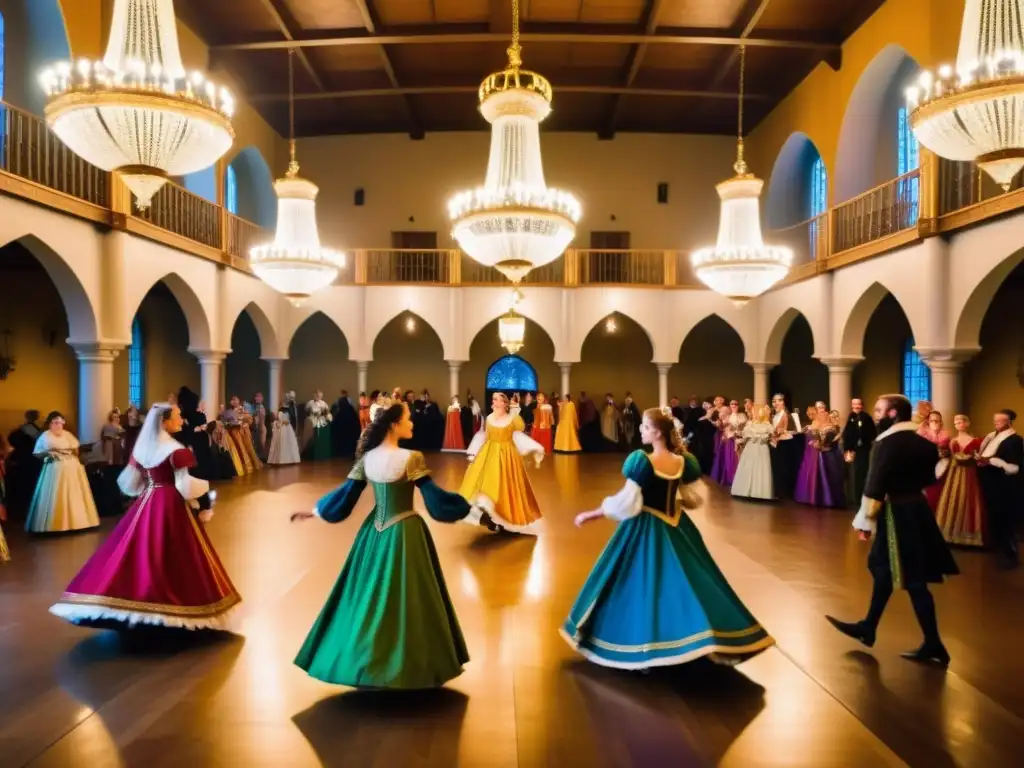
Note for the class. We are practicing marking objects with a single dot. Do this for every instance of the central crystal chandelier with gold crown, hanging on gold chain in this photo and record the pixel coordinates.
(516, 222)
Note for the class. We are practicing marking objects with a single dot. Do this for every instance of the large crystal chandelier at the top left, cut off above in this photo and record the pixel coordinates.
(138, 112)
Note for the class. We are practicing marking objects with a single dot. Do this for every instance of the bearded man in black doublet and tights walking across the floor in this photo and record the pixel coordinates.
(909, 551)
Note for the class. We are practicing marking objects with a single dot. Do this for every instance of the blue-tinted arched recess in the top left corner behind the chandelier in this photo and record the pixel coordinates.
(35, 36)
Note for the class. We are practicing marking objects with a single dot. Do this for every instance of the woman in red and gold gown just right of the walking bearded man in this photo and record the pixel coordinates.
(961, 514)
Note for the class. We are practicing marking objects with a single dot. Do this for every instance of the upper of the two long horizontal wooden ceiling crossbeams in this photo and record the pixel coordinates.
(596, 34)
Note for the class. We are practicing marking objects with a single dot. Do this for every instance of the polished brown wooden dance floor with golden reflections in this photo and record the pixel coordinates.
(72, 697)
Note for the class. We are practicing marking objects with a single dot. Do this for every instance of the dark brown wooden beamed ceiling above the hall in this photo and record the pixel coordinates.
(415, 66)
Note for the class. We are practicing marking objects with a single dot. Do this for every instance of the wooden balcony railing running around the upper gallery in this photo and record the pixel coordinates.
(942, 197)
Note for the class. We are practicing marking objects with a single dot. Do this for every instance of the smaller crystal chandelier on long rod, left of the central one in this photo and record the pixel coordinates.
(295, 264)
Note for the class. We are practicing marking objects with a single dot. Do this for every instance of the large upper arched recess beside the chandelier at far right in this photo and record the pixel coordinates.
(864, 159)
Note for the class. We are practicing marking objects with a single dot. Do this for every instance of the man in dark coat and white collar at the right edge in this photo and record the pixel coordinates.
(1000, 461)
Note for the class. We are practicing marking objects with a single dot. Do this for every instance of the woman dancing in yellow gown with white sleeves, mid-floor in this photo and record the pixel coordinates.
(497, 479)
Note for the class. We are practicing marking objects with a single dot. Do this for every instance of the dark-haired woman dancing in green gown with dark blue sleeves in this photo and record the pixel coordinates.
(390, 622)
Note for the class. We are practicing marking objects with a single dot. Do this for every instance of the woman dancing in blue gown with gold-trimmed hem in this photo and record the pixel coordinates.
(656, 596)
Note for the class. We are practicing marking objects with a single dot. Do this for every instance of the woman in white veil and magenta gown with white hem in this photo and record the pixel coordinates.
(158, 566)
